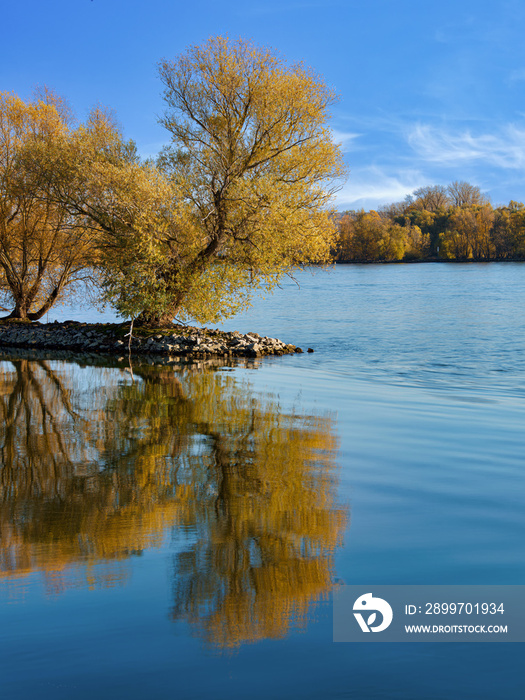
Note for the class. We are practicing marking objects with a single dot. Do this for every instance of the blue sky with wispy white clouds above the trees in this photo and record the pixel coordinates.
(430, 92)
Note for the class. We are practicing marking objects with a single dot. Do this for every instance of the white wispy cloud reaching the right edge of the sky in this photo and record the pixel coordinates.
(505, 149)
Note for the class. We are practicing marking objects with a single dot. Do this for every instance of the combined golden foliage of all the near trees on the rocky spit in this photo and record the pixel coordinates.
(239, 198)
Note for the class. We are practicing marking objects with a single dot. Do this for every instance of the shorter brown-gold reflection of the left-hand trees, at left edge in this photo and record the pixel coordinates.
(74, 485)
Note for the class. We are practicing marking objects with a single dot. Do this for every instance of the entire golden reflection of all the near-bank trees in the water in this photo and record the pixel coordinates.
(96, 469)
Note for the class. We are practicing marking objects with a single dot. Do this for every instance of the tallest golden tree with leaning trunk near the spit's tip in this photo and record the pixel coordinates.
(252, 167)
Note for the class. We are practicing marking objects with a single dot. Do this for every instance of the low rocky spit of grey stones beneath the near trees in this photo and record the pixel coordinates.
(112, 338)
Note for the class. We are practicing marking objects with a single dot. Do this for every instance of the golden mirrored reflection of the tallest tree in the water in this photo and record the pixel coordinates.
(267, 529)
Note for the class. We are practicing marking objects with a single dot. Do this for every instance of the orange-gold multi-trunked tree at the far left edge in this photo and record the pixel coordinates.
(44, 250)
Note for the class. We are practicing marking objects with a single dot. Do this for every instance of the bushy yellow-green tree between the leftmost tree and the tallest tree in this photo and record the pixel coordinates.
(130, 206)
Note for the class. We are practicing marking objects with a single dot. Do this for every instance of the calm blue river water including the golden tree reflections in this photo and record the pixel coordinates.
(178, 536)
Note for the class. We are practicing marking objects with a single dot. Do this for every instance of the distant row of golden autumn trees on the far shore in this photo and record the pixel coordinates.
(447, 223)
